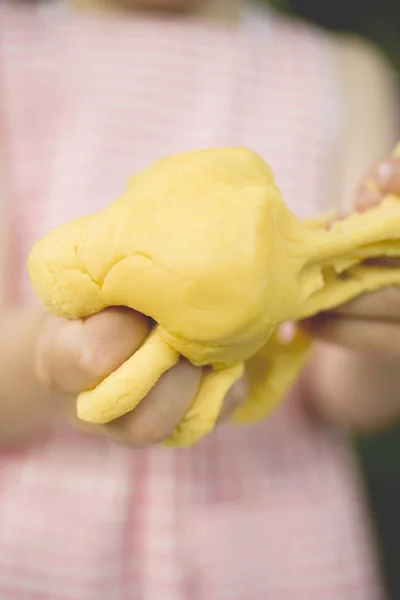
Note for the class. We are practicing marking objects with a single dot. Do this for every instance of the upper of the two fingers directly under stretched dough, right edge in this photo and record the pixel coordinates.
(383, 305)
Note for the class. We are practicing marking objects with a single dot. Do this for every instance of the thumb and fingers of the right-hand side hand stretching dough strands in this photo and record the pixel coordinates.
(369, 324)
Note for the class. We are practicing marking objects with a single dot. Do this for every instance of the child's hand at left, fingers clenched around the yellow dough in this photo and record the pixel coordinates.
(73, 356)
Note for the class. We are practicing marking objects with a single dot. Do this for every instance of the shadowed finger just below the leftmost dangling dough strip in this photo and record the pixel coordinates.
(157, 415)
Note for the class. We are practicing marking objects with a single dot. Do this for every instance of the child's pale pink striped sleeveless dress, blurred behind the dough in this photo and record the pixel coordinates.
(272, 512)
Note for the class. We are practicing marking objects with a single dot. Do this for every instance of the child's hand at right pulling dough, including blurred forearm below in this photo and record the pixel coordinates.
(354, 380)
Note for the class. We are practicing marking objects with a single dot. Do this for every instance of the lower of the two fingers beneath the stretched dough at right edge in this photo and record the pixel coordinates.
(381, 340)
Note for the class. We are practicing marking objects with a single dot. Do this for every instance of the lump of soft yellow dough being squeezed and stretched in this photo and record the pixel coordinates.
(203, 244)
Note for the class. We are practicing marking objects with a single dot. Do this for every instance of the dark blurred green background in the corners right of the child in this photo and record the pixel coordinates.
(379, 21)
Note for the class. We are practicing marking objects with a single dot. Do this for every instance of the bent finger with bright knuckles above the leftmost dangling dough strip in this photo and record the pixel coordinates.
(77, 355)
